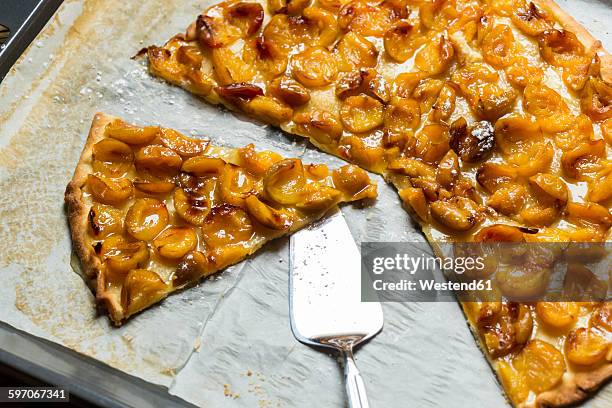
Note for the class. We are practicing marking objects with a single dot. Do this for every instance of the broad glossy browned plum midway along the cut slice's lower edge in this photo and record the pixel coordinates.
(226, 225)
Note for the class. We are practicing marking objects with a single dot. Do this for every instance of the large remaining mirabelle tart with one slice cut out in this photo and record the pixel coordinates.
(492, 118)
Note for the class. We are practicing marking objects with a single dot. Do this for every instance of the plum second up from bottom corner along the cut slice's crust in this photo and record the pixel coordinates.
(122, 255)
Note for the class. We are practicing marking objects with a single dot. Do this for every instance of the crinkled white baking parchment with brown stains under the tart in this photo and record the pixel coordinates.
(227, 341)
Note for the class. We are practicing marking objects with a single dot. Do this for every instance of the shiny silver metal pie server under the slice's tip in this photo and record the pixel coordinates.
(325, 296)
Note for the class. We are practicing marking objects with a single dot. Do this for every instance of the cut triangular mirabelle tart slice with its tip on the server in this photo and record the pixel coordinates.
(152, 211)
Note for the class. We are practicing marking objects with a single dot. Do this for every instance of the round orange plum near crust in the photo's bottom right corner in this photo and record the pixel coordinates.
(584, 347)
